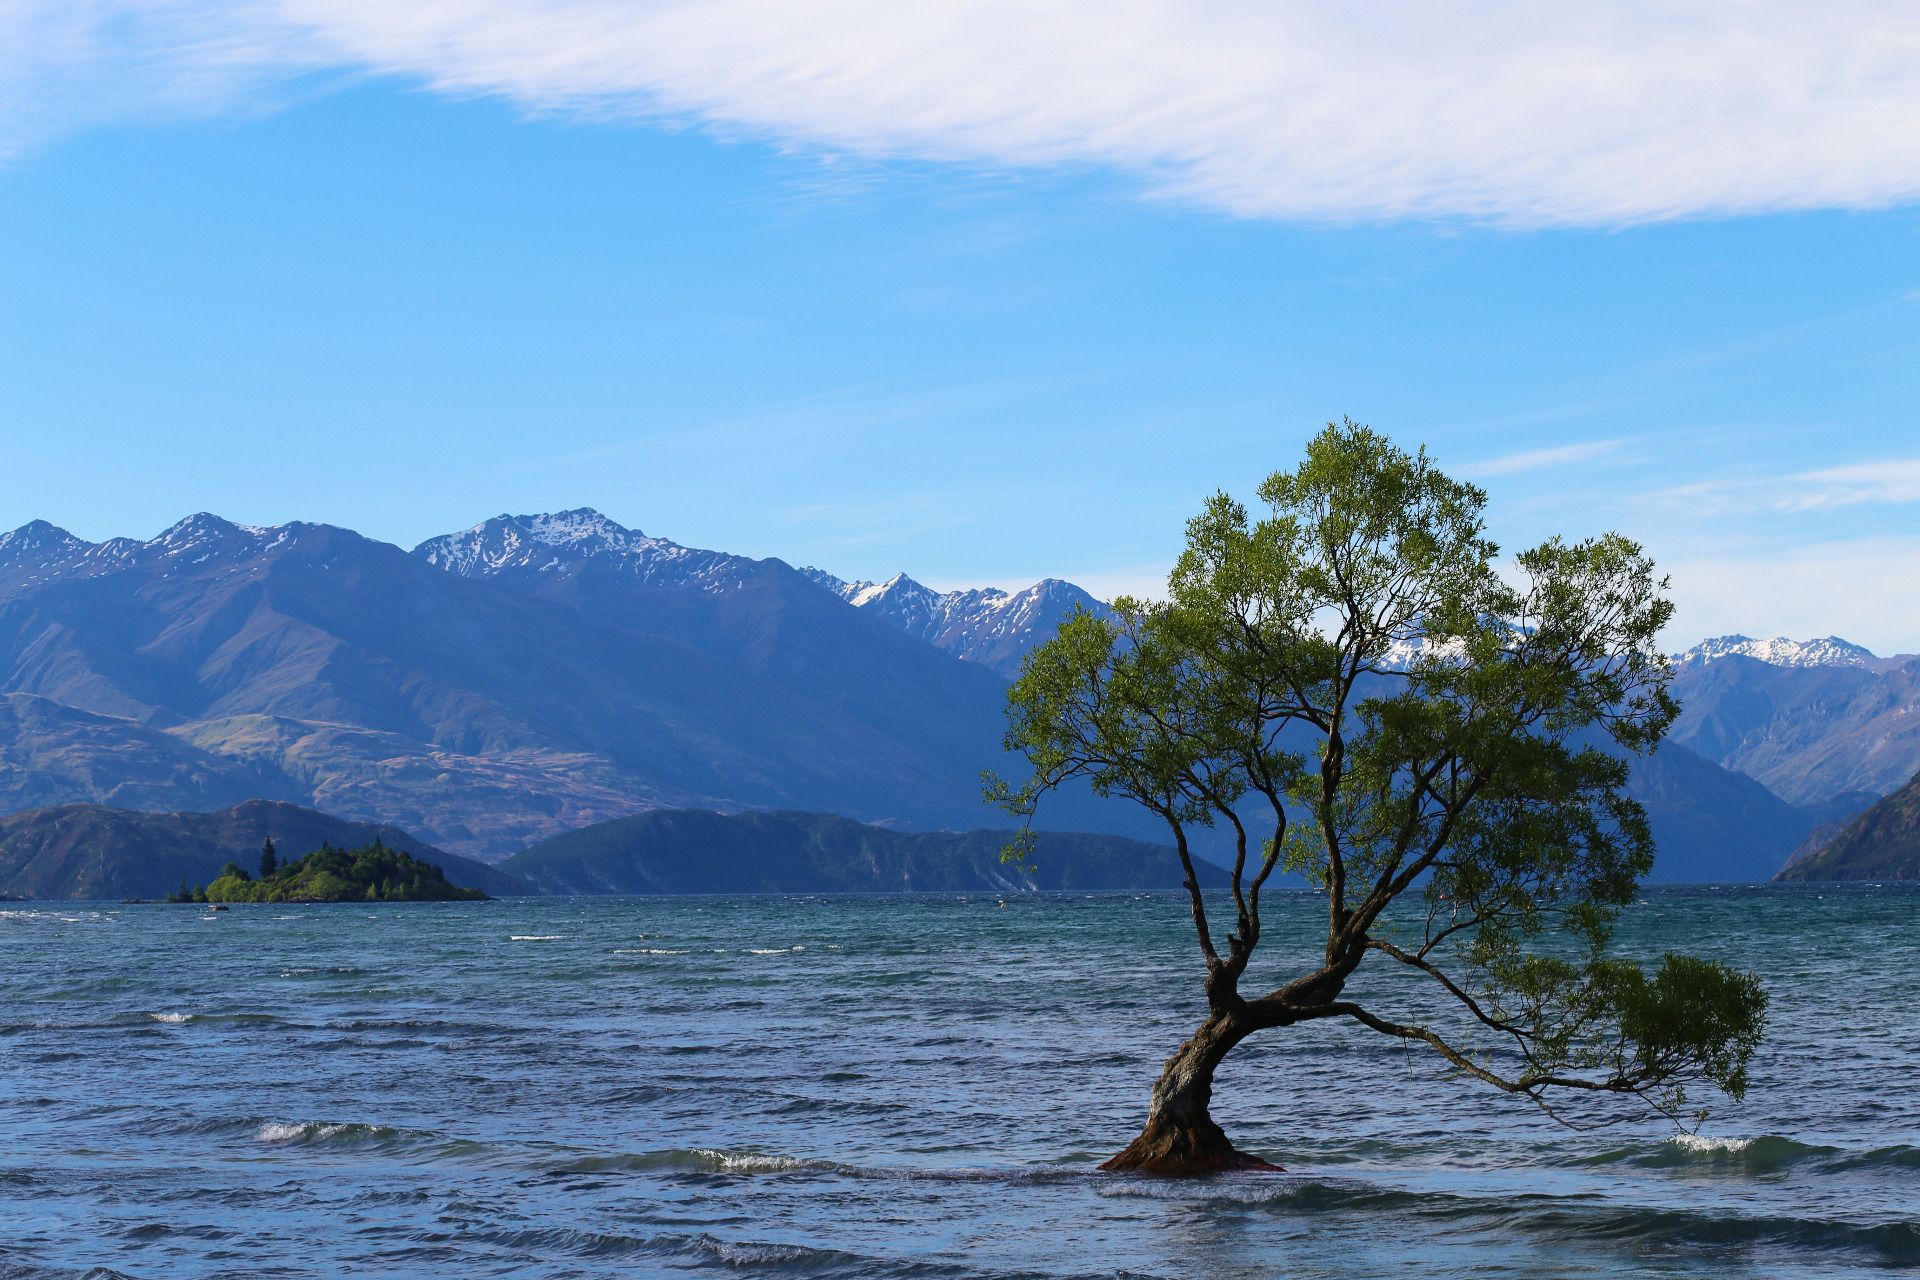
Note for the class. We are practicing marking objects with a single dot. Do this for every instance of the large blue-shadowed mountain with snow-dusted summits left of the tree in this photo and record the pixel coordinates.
(491, 690)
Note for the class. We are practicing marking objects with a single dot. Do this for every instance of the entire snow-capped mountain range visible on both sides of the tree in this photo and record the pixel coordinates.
(539, 675)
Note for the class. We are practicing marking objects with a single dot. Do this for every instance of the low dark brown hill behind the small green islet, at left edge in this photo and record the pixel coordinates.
(91, 851)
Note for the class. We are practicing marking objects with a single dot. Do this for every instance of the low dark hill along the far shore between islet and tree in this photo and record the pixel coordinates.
(684, 851)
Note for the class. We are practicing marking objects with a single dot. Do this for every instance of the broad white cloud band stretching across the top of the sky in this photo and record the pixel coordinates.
(1495, 112)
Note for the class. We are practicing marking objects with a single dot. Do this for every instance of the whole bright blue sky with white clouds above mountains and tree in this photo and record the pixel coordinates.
(370, 281)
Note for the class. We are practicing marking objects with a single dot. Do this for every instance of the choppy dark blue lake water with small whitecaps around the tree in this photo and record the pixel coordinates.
(880, 1087)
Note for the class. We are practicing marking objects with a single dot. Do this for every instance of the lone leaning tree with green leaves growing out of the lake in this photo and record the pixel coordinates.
(1349, 690)
